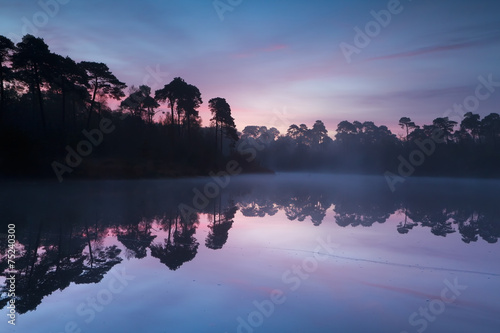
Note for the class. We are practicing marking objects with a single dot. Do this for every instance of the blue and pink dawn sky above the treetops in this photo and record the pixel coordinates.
(283, 62)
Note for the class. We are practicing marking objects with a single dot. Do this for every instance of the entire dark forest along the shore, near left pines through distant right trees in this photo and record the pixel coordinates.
(55, 121)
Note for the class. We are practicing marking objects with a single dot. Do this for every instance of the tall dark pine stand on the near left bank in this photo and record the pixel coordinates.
(55, 121)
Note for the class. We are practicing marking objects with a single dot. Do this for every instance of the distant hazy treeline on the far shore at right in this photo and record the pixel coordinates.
(470, 148)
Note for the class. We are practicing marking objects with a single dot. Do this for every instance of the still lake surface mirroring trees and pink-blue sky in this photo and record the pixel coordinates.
(283, 253)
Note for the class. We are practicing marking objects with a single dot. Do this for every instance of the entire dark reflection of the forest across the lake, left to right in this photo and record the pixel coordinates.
(62, 235)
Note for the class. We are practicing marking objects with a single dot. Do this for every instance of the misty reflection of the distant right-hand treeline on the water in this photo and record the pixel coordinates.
(443, 207)
